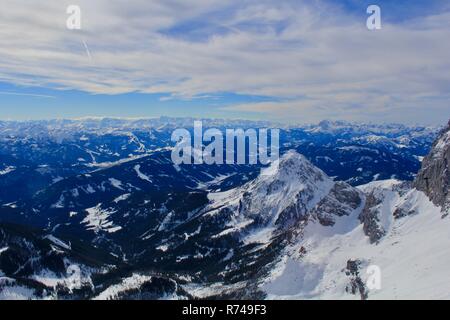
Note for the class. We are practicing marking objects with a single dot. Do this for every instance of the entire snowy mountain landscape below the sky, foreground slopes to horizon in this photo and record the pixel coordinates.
(96, 209)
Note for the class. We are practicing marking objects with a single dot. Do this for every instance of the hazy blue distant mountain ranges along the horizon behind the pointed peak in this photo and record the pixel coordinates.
(37, 154)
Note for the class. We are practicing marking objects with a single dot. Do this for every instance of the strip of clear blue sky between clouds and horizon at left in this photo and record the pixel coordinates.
(29, 103)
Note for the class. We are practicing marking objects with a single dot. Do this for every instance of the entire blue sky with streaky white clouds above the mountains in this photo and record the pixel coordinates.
(282, 60)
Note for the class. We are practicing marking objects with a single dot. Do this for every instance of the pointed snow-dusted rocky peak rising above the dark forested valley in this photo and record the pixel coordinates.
(292, 191)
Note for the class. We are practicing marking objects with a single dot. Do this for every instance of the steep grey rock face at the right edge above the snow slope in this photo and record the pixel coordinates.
(434, 177)
